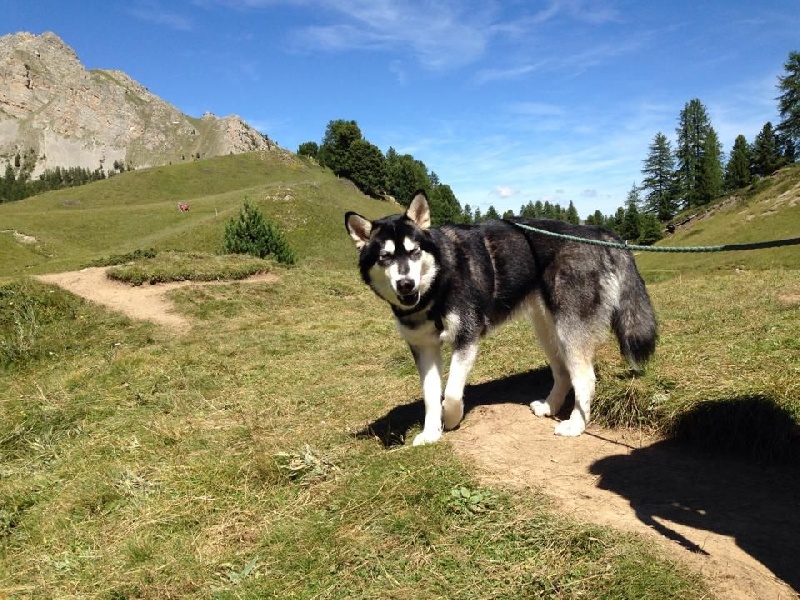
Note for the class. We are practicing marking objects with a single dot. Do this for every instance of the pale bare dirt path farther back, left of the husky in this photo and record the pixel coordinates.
(144, 302)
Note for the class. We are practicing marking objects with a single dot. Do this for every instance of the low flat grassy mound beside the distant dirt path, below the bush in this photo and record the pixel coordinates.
(180, 266)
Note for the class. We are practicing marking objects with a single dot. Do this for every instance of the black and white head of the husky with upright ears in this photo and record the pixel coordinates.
(397, 255)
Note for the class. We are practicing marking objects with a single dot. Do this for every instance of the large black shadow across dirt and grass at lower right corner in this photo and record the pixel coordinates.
(732, 467)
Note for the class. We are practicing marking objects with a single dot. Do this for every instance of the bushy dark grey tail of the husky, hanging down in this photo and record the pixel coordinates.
(634, 321)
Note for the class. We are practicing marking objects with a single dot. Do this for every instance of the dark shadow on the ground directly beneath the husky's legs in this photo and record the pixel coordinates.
(522, 388)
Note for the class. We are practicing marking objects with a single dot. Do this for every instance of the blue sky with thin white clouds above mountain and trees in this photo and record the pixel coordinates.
(507, 102)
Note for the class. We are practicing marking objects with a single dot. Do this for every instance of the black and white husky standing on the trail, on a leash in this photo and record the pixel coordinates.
(454, 284)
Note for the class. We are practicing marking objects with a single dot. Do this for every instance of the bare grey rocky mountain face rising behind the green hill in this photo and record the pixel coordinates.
(55, 110)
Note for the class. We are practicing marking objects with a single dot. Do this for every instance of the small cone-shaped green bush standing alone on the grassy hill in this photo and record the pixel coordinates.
(252, 233)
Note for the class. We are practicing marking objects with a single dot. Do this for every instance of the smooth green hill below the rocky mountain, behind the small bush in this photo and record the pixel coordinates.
(138, 209)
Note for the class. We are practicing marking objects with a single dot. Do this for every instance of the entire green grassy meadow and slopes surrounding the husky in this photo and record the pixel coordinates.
(236, 460)
